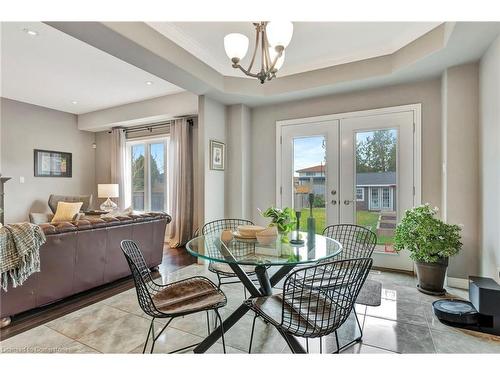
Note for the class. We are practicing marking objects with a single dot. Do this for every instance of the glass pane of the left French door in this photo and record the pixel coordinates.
(309, 166)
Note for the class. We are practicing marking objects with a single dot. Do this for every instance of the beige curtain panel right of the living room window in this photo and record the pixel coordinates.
(181, 183)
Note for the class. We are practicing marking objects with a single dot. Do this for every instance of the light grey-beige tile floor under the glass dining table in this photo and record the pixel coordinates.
(404, 323)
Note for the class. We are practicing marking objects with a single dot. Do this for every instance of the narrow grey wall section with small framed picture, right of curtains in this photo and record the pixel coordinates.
(211, 125)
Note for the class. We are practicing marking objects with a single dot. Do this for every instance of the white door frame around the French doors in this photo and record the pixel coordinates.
(417, 140)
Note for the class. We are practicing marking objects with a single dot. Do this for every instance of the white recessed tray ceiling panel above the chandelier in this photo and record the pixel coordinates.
(314, 45)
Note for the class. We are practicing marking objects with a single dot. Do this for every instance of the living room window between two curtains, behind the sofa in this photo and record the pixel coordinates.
(146, 169)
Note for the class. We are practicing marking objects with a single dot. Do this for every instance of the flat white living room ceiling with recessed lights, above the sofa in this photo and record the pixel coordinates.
(54, 69)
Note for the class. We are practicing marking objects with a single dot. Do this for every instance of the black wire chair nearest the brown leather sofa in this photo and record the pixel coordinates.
(180, 298)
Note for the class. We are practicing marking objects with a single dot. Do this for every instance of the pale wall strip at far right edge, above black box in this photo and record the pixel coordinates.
(489, 83)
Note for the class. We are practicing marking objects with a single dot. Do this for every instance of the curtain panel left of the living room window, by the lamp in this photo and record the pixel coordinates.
(118, 153)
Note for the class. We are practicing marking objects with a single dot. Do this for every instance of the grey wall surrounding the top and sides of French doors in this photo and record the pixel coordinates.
(264, 133)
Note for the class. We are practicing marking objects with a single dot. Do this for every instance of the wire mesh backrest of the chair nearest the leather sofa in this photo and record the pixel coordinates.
(141, 274)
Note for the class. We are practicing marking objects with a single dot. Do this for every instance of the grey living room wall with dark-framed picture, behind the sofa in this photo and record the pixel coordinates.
(26, 127)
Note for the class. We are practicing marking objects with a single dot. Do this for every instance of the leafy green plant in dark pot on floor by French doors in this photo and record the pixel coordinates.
(430, 242)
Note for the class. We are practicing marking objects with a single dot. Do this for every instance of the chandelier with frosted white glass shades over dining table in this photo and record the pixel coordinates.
(271, 38)
